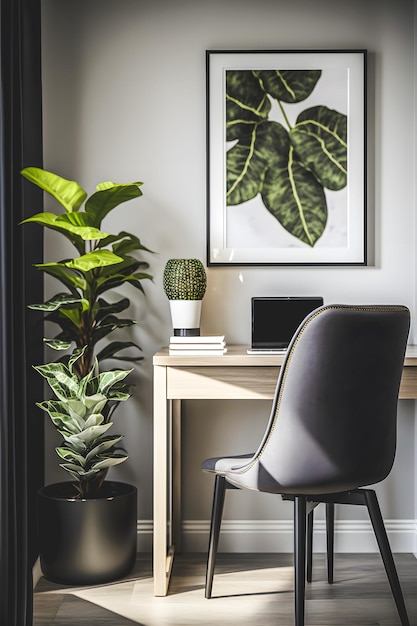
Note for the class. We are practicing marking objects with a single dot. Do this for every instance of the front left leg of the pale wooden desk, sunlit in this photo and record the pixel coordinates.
(161, 567)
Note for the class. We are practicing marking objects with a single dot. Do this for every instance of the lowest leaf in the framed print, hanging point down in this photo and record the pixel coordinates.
(297, 200)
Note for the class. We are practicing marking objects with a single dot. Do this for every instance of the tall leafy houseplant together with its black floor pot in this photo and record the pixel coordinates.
(87, 525)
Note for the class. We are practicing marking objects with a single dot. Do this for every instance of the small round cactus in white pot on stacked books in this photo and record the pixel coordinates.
(185, 284)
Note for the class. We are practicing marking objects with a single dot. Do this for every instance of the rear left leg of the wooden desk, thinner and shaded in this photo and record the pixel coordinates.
(176, 475)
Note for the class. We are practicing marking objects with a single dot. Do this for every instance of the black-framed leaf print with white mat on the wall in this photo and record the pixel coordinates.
(286, 157)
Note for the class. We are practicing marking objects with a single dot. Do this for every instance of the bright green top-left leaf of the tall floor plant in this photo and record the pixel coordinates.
(68, 193)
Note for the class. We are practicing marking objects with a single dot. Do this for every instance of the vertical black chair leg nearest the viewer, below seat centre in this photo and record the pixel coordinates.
(300, 514)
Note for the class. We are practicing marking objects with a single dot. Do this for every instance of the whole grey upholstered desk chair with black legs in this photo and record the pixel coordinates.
(332, 430)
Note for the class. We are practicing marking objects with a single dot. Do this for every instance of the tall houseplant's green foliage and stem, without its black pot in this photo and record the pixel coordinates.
(84, 315)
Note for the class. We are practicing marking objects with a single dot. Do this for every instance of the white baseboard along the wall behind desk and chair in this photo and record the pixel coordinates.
(277, 536)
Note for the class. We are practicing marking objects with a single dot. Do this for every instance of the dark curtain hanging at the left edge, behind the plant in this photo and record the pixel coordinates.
(21, 428)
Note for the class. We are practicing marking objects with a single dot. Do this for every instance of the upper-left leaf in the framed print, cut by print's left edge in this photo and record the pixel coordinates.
(246, 103)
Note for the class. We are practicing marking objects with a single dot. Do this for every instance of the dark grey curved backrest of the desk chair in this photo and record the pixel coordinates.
(334, 417)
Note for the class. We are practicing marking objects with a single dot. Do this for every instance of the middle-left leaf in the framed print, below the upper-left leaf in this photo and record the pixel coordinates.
(247, 163)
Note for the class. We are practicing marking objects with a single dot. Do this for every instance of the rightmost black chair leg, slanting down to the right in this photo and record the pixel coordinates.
(386, 554)
